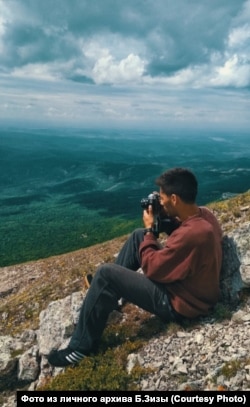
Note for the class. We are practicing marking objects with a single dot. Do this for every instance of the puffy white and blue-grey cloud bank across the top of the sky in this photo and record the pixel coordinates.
(164, 37)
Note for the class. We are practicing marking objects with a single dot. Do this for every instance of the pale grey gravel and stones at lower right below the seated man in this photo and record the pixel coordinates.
(211, 356)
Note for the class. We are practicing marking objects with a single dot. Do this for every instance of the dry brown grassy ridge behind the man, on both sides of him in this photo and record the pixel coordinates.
(69, 270)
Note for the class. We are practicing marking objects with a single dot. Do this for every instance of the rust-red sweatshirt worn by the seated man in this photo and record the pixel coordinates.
(189, 264)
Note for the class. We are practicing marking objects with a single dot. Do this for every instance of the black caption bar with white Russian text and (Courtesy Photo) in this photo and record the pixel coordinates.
(67, 398)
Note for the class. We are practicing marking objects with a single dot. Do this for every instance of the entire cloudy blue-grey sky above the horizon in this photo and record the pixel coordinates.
(125, 64)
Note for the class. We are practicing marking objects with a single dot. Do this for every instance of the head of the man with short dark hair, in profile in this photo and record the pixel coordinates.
(178, 190)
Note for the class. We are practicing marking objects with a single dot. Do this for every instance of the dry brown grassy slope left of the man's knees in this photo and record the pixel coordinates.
(47, 280)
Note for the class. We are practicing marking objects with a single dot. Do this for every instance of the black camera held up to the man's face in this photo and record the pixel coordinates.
(163, 223)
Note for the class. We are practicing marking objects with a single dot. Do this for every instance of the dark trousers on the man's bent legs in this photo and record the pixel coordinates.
(111, 282)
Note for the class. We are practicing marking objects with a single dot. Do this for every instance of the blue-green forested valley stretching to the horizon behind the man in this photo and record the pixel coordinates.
(66, 190)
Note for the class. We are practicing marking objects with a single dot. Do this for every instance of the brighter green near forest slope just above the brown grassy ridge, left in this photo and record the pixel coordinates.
(60, 229)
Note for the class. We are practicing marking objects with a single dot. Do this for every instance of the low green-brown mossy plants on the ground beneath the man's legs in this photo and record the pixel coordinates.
(107, 370)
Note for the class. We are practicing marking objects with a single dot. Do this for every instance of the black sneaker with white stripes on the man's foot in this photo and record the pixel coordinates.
(64, 357)
